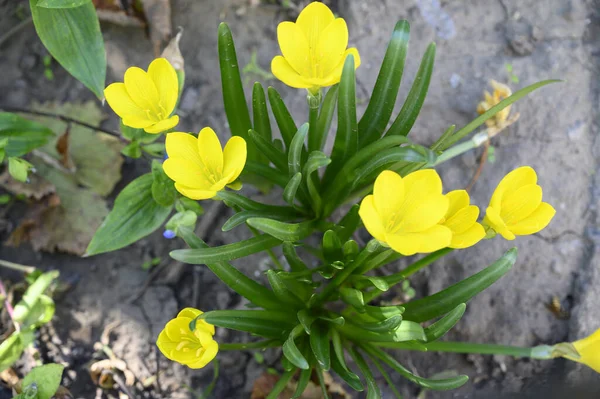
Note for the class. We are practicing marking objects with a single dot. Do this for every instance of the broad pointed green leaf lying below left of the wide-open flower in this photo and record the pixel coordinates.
(135, 215)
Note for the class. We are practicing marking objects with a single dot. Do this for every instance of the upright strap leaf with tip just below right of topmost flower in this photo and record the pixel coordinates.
(346, 138)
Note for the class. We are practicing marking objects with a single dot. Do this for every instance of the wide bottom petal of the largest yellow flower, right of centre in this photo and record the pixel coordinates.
(432, 239)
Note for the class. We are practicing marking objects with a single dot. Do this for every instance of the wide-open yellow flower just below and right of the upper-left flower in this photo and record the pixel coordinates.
(199, 166)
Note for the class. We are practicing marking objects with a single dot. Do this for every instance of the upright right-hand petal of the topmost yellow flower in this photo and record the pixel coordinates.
(331, 47)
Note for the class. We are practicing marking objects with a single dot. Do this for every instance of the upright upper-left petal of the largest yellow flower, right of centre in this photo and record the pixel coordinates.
(388, 193)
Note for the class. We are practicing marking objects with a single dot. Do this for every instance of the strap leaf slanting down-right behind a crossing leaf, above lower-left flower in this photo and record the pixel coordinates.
(233, 278)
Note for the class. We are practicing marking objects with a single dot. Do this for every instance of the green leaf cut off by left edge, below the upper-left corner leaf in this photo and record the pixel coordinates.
(21, 134)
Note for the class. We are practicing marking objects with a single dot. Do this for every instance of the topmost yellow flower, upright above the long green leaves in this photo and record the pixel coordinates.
(313, 48)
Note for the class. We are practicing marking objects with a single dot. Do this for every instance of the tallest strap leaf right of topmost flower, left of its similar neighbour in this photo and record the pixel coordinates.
(380, 108)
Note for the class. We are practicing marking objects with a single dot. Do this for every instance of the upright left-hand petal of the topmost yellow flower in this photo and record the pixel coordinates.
(294, 47)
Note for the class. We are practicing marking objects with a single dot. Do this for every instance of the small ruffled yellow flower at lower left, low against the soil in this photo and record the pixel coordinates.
(194, 349)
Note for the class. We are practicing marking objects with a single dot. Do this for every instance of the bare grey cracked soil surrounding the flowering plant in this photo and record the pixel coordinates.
(557, 134)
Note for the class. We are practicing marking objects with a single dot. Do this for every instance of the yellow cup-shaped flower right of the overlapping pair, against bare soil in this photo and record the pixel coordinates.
(516, 207)
